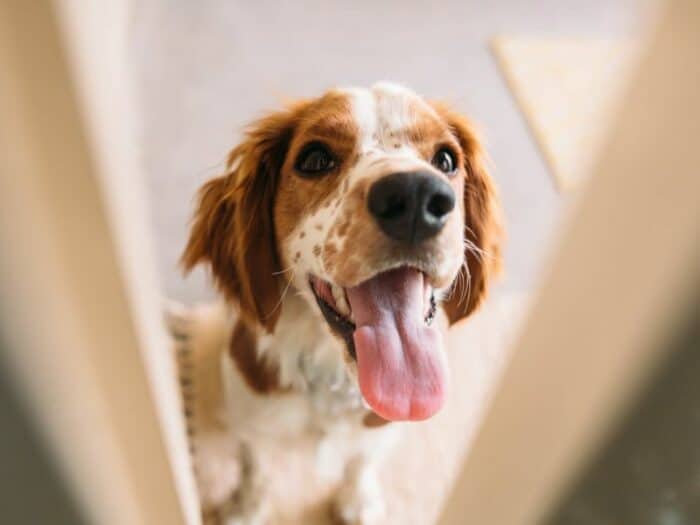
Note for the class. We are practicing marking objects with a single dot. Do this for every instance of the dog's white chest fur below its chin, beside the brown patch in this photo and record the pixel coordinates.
(321, 395)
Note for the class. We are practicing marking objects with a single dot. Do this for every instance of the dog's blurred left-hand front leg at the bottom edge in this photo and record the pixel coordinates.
(249, 504)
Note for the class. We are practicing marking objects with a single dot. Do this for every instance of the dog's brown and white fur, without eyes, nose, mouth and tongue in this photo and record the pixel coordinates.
(263, 230)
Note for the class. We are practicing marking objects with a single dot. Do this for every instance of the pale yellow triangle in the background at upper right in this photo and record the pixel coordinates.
(568, 90)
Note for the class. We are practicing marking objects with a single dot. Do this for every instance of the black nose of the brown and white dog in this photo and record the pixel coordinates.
(411, 207)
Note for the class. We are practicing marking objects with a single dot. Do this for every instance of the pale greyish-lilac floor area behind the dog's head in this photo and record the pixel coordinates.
(204, 69)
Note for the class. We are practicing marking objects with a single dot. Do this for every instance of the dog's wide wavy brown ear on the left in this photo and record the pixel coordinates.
(233, 229)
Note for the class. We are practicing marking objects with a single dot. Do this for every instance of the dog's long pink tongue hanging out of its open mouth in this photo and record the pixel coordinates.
(401, 363)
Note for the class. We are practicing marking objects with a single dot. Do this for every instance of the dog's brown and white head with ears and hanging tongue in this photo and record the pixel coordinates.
(372, 204)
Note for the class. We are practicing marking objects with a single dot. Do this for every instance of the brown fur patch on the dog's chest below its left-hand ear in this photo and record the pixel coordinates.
(260, 376)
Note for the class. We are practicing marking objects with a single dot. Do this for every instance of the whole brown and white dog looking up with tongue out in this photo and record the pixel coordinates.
(348, 231)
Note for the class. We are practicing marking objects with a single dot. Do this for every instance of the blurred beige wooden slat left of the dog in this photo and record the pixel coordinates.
(80, 306)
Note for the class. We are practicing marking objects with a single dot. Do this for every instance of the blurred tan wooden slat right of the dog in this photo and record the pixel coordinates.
(626, 264)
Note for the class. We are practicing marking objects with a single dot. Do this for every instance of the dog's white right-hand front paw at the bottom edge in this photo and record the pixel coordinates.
(360, 505)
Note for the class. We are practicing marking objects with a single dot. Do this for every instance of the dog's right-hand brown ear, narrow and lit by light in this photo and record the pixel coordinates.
(483, 230)
